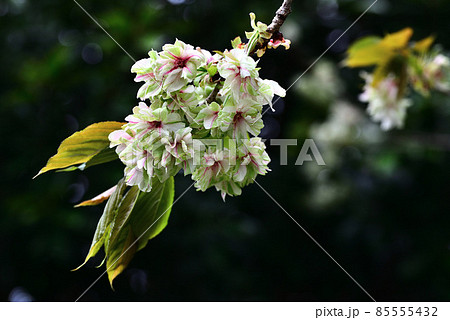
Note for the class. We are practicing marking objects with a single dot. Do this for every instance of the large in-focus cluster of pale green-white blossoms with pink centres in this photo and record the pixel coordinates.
(188, 97)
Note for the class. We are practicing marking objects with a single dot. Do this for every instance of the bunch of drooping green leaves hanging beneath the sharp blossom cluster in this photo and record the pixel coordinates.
(129, 220)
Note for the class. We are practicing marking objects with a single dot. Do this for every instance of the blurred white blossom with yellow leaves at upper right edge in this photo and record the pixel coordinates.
(400, 65)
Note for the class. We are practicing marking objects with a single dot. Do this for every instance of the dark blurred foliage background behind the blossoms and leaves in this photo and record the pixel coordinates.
(380, 206)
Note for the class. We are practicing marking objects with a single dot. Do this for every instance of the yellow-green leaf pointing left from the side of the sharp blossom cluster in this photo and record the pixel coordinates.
(83, 146)
